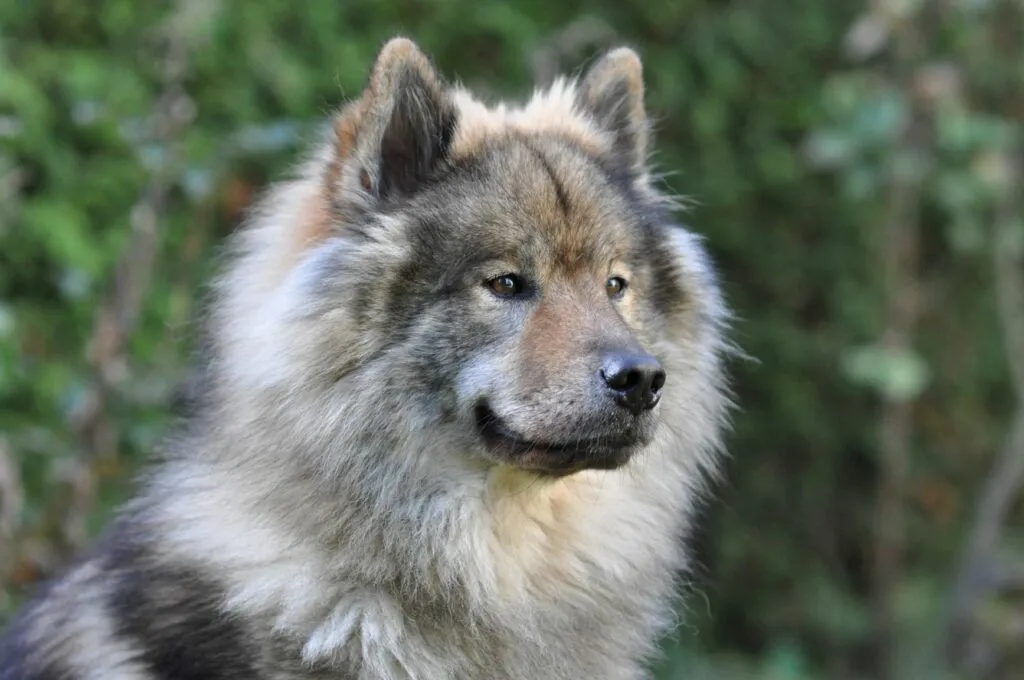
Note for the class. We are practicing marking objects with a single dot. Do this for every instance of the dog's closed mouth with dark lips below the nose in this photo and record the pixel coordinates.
(552, 458)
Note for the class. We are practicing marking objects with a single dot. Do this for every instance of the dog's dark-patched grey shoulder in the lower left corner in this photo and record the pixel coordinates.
(126, 611)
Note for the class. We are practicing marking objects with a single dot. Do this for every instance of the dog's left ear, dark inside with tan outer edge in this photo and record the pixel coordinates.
(389, 143)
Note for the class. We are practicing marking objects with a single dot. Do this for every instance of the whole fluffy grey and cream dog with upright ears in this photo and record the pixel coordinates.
(463, 385)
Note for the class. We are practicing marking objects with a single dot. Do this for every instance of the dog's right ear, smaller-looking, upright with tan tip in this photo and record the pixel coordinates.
(613, 93)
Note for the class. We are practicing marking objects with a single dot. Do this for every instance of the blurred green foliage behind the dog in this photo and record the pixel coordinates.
(785, 144)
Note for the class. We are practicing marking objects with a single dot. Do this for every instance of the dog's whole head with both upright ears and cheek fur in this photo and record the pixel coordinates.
(509, 273)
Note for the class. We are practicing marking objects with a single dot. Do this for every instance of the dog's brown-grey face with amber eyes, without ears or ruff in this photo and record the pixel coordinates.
(530, 288)
